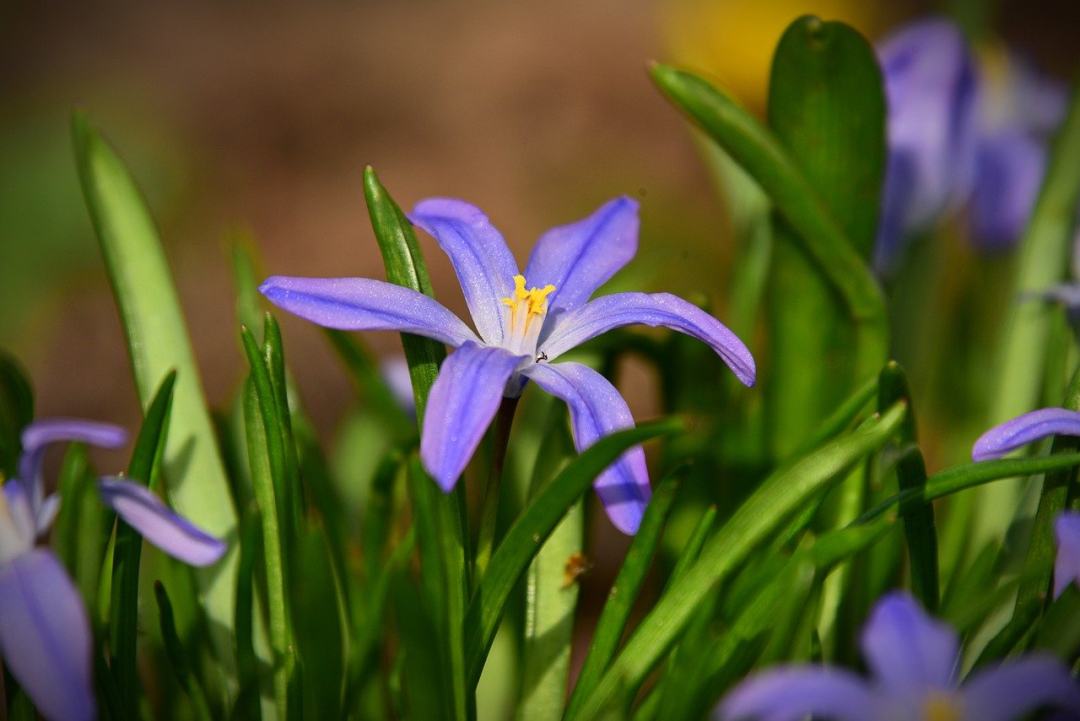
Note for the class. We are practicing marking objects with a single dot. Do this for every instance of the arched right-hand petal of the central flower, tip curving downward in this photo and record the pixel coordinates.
(661, 309)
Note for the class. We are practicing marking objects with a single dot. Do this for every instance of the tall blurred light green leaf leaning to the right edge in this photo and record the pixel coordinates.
(1045, 251)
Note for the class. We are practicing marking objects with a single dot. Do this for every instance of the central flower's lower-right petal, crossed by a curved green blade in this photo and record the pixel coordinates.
(597, 411)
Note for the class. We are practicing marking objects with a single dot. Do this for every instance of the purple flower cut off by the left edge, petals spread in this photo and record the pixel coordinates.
(45, 634)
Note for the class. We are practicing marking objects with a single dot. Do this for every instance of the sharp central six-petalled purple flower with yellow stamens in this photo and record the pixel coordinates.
(520, 331)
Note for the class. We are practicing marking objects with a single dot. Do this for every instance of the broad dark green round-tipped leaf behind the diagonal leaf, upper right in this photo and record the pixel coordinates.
(827, 107)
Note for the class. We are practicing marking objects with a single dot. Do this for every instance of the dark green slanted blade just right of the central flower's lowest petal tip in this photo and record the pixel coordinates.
(625, 591)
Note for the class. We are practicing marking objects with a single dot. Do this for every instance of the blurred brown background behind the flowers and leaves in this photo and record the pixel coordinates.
(262, 116)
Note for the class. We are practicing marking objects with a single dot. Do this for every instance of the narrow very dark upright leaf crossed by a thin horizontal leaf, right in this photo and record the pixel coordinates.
(919, 516)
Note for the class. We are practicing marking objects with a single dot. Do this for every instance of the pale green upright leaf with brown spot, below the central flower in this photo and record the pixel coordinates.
(551, 595)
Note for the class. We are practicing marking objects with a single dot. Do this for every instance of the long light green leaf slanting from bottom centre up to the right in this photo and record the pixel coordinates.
(757, 520)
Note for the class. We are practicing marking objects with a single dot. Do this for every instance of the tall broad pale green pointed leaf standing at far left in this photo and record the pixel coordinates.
(158, 344)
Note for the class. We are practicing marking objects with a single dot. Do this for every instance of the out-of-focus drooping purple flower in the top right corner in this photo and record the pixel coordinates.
(962, 134)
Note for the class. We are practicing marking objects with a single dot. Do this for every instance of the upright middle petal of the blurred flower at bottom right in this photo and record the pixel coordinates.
(909, 652)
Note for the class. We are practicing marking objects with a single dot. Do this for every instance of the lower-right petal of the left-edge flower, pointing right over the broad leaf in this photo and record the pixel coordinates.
(174, 535)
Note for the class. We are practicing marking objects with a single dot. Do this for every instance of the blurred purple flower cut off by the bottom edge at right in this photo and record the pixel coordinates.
(913, 661)
